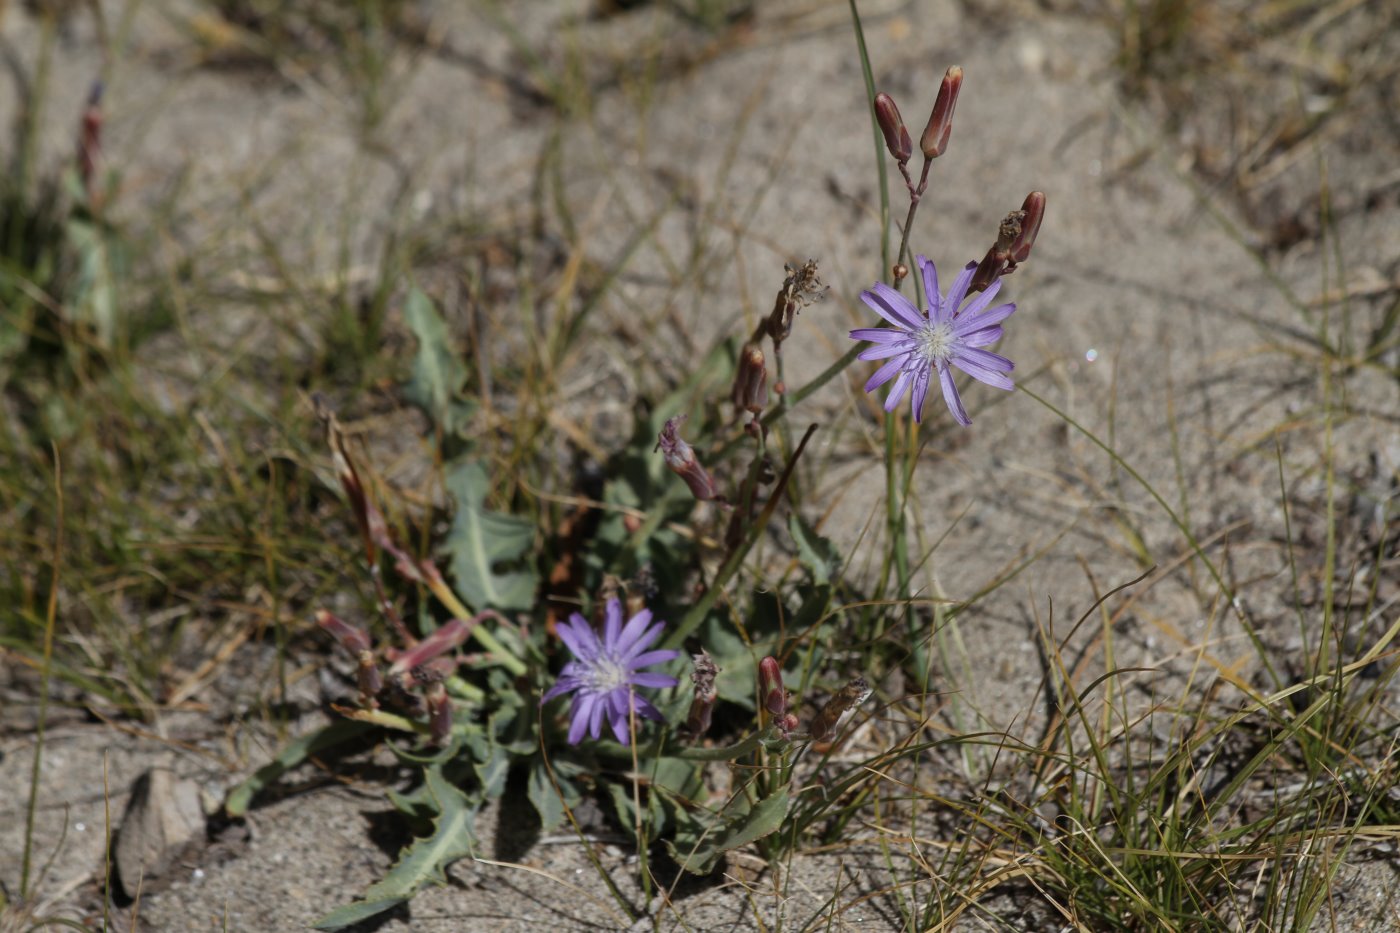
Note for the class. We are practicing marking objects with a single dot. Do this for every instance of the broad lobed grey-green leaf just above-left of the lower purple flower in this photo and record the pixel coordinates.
(481, 540)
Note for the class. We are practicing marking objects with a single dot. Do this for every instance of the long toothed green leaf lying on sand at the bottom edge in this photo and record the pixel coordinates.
(423, 864)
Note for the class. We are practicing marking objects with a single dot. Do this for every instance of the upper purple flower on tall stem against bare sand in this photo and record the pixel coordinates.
(927, 343)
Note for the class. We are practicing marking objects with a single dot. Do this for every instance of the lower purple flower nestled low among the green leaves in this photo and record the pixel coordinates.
(607, 670)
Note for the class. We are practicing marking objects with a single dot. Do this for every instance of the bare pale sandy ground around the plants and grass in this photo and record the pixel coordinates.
(1139, 307)
